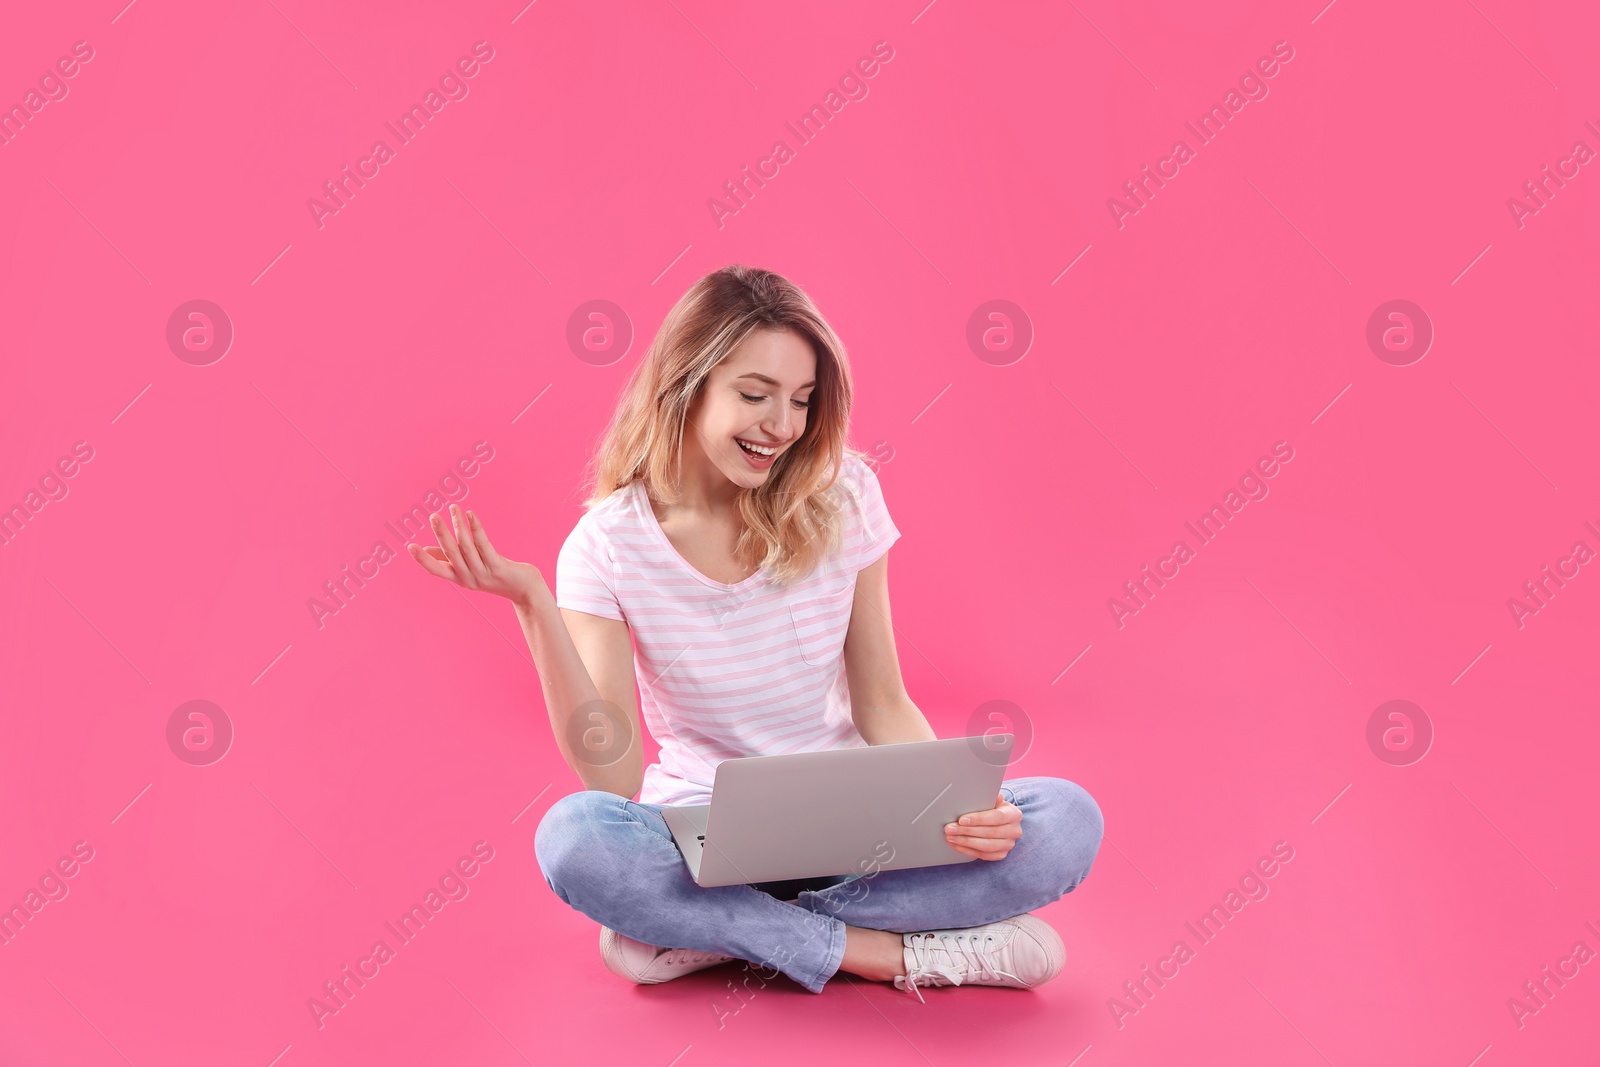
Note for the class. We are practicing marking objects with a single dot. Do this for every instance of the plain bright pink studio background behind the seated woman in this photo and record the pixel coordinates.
(430, 314)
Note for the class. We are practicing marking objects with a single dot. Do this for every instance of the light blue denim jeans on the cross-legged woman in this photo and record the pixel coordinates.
(615, 861)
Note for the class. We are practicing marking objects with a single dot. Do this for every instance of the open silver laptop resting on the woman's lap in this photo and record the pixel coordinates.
(842, 812)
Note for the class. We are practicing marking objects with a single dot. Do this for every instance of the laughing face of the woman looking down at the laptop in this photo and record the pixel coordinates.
(759, 396)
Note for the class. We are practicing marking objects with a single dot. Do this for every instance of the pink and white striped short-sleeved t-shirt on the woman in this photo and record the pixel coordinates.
(726, 671)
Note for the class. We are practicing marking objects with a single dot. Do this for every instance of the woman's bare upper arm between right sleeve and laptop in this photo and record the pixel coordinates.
(879, 705)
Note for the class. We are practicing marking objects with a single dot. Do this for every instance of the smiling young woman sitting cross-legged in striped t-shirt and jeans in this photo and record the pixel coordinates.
(734, 569)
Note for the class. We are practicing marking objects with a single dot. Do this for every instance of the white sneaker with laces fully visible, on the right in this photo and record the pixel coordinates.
(1020, 953)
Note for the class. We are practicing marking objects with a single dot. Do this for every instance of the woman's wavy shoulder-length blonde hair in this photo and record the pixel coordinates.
(793, 521)
